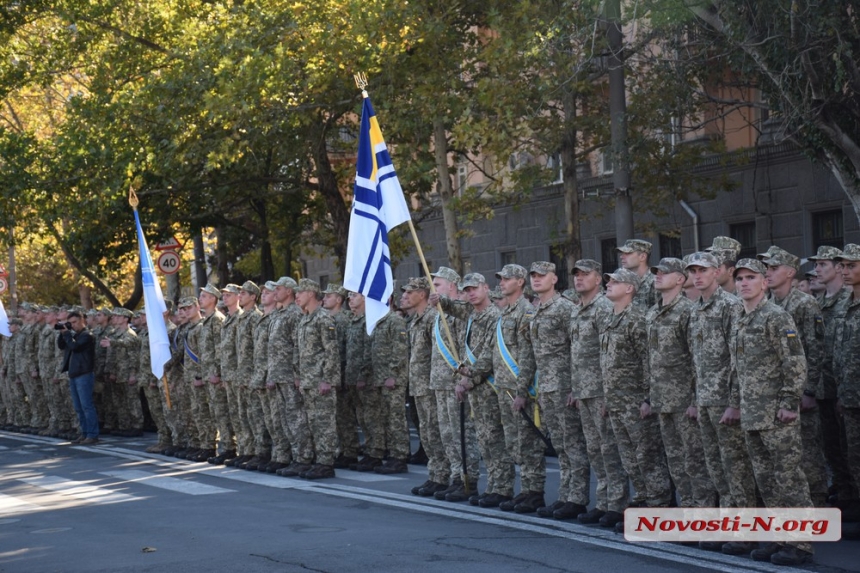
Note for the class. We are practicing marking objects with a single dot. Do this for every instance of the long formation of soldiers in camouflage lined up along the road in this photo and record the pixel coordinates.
(636, 375)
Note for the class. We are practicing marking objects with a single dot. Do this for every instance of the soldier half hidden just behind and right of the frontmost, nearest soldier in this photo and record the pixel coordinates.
(782, 267)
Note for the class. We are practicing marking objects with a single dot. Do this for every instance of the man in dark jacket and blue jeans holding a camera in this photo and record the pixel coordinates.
(78, 345)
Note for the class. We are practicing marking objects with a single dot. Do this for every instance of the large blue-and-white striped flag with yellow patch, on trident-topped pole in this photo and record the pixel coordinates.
(378, 206)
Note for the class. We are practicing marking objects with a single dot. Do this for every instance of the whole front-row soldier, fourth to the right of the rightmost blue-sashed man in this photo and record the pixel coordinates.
(673, 383)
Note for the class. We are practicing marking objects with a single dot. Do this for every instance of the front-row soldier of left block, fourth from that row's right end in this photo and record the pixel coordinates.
(248, 445)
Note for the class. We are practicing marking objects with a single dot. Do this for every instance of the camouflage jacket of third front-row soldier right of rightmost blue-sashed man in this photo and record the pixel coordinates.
(624, 358)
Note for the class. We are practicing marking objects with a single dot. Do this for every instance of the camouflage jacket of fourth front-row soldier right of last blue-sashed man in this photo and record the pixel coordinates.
(673, 378)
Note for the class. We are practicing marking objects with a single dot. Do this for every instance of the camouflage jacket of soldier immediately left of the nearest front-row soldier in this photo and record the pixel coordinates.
(711, 325)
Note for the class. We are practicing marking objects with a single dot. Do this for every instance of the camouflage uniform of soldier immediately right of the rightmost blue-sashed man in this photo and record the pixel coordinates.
(550, 335)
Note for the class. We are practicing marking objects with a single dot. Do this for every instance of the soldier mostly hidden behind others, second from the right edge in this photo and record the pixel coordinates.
(832, 296)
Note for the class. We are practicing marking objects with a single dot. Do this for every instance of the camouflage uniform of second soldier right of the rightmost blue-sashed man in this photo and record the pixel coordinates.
(612, 491)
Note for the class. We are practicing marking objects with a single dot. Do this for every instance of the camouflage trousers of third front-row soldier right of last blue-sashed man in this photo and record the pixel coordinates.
(641, 451)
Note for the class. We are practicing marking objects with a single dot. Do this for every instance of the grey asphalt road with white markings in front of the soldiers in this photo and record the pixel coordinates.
(113, 508)
